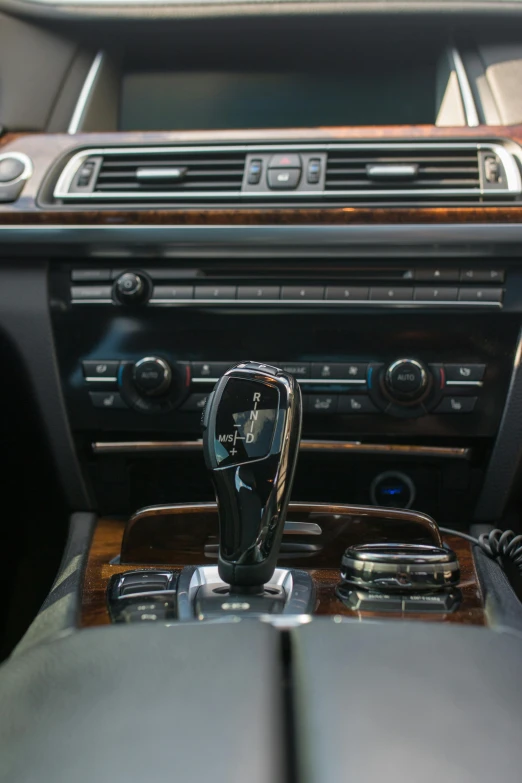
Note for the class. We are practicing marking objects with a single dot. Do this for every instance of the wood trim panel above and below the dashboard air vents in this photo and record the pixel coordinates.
(46, 149)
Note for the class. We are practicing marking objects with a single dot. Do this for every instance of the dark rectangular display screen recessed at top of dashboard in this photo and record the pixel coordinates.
(196, 100)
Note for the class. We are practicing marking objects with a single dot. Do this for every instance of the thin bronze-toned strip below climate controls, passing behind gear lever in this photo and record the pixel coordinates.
(334, 446)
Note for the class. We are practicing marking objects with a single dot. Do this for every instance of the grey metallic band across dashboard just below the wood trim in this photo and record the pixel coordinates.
(330, 239)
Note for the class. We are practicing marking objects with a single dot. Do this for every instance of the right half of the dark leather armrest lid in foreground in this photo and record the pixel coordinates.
(397, 701)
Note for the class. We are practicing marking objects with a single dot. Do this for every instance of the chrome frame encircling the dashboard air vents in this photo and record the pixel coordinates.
(61, 190)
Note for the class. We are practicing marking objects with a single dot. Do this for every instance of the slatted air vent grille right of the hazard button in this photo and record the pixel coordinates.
(434, 170)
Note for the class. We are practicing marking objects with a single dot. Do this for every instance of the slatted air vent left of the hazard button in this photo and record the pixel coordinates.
(165, 173)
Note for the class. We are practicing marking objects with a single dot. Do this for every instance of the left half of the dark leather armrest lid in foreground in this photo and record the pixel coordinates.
(145, 703)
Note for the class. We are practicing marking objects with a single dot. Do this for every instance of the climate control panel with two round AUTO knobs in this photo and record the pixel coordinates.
(405, 388)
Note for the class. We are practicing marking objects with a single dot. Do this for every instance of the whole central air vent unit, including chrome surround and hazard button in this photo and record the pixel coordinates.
(318, 173)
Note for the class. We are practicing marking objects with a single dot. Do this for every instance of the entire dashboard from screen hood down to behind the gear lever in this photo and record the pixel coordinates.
(249, 189)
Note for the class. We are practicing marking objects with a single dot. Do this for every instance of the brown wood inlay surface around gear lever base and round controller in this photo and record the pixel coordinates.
(107, 541)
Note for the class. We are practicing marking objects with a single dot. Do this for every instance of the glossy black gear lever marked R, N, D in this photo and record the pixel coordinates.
(251, 433)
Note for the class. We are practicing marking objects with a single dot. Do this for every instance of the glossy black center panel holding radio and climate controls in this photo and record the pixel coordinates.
(404, 367)
